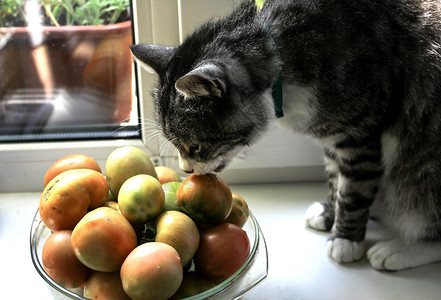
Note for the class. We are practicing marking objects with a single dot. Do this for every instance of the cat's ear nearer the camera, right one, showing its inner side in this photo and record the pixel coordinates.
(204, 81)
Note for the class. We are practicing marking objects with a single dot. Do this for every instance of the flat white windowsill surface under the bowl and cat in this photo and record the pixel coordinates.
(298, 265)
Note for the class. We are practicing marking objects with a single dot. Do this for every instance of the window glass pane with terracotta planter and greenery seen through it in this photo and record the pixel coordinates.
(66, 70)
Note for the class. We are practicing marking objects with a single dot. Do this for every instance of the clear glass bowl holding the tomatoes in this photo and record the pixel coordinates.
(252, 272)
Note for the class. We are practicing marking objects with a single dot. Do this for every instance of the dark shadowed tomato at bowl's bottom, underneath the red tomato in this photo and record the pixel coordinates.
(192, 284)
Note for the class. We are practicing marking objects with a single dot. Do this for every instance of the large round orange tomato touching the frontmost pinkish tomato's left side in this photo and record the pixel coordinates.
(102, 239)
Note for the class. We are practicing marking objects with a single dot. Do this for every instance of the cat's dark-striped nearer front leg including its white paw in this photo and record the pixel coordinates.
(358, 177)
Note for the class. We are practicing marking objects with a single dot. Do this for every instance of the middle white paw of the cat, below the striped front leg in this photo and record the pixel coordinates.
(345, 251)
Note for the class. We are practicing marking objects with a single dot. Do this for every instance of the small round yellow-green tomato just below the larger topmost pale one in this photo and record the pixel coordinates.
(141, 199)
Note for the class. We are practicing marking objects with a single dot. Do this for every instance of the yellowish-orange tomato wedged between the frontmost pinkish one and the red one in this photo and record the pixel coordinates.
(179, 231)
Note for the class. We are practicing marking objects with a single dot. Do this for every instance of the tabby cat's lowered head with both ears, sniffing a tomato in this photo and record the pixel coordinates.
(209, 108)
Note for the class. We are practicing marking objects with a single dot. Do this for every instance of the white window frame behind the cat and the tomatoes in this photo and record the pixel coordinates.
(279, 156)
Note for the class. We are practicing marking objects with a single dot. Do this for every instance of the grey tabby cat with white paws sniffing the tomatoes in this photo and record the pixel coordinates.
(361, 78)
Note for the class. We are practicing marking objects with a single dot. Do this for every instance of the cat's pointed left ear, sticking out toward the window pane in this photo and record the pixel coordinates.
(155, 58)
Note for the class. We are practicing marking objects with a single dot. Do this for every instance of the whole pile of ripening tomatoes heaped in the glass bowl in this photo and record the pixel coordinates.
(138, 232)
